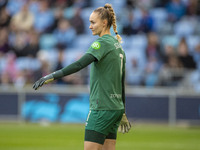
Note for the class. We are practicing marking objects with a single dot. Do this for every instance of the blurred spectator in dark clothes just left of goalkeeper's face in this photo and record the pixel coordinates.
(77, 22)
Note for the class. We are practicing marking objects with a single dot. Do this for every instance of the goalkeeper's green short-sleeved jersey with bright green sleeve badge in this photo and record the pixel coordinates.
(106, 74)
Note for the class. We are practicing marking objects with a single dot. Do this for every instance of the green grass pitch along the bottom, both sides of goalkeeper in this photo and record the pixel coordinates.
(22, 136)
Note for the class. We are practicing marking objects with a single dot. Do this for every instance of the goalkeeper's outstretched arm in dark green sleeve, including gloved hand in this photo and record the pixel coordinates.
(83, 62)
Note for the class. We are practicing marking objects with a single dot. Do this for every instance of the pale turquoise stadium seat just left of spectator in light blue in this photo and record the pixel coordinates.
(47, 41)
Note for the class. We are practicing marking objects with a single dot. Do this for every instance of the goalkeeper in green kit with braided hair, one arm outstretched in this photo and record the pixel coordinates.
(107, 87)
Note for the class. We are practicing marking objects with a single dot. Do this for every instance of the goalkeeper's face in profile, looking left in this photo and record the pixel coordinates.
(96, 24)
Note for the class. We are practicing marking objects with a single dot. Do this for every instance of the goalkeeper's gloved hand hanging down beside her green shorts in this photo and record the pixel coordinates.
(125, 125)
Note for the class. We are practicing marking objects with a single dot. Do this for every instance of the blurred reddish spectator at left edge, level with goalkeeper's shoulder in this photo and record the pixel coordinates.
(4, 45)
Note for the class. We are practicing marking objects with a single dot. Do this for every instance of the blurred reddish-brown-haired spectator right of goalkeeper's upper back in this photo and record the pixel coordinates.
(153, 47)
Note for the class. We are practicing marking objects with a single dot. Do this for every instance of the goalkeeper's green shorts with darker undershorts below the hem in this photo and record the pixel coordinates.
(102, 124)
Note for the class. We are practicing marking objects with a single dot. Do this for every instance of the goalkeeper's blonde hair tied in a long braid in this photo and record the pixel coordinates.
(107, 12)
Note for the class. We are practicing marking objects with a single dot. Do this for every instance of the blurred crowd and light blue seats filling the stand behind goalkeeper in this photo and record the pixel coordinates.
(161, 40)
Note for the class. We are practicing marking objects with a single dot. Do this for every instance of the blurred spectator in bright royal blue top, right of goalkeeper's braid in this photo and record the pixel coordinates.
(146, 23)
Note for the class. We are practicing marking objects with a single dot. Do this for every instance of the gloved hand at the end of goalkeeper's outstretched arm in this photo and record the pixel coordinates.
(43, 80)
